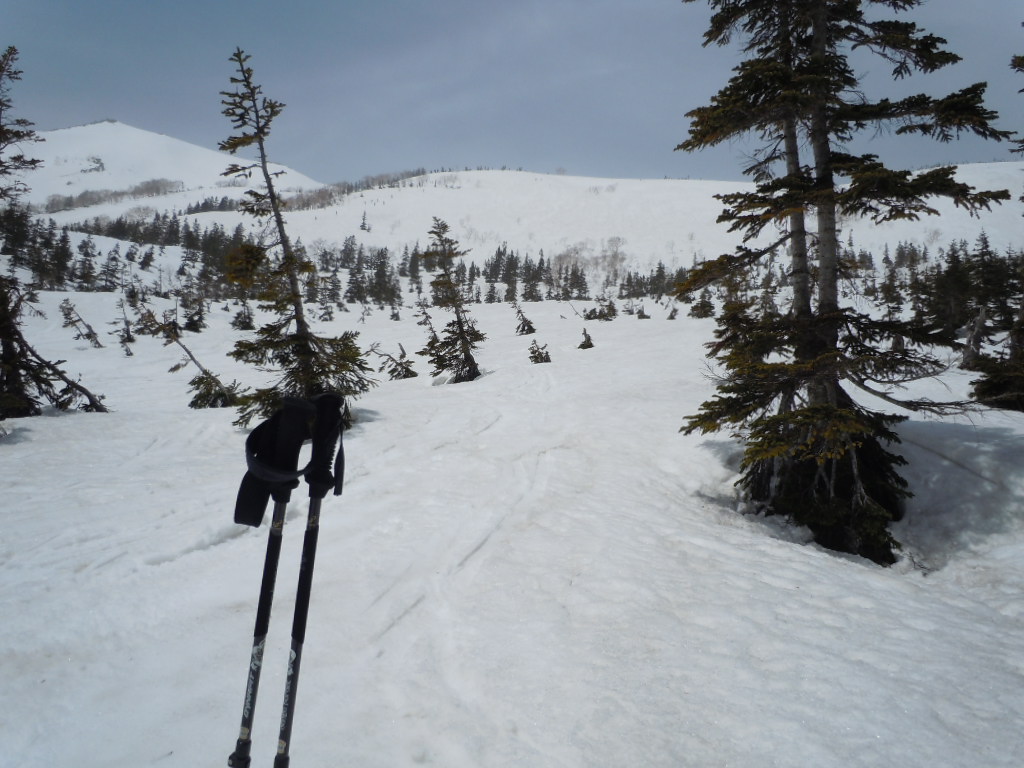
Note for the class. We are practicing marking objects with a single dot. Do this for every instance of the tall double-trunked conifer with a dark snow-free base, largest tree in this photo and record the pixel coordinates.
(812, 452)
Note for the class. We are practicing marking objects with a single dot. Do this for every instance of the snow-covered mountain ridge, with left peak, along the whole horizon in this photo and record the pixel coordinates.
(644, 222)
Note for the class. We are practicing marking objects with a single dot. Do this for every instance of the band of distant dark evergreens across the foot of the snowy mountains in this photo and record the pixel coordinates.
(965, 290)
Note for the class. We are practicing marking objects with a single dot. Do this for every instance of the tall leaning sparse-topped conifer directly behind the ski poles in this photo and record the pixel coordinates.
(308, 364)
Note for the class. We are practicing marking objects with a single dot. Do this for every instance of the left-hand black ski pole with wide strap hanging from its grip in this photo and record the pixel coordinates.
(273, 456)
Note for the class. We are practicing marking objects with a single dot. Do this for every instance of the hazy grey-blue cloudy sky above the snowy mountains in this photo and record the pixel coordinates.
(592, 88)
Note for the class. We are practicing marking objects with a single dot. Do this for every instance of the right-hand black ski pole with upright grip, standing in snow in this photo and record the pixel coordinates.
(327, 432)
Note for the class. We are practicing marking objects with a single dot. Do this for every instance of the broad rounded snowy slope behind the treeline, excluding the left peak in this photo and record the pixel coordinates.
(648, 222)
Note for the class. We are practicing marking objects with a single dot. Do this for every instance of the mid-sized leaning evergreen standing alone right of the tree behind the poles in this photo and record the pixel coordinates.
(451, 352)
